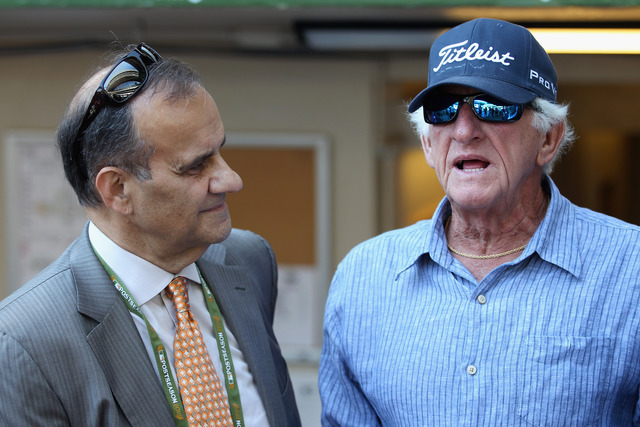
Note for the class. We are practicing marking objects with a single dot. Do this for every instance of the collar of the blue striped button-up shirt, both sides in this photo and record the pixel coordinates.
(555, 240)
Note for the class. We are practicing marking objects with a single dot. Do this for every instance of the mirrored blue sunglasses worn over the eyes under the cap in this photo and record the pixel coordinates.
(444, 108)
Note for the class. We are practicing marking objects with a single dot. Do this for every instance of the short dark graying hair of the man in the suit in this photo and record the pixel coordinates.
(112, 138)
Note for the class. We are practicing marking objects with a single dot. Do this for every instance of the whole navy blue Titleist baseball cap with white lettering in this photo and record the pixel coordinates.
(495, 57)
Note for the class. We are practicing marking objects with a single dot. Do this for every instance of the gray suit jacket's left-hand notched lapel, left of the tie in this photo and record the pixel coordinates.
(116, 342)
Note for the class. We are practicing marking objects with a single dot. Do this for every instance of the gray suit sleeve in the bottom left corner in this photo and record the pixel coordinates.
(26, 399)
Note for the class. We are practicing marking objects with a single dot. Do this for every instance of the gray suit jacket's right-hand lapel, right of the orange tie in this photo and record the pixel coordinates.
(239, 304)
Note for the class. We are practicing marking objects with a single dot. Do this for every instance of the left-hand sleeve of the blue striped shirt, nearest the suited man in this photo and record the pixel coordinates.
(344, 403)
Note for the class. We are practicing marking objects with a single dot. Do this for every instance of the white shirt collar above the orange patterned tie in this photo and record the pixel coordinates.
(143, 279)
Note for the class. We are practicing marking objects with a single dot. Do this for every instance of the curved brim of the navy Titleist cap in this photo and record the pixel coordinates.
(502, 90)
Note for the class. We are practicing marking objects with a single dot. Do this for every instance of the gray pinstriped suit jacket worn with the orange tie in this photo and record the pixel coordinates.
(70, 353)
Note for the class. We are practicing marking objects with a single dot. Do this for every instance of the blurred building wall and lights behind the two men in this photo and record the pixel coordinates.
(313, 96)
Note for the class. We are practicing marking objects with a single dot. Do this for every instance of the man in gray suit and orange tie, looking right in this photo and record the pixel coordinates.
(90, 340)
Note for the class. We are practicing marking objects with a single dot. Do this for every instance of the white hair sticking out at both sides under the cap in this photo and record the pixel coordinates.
(546, 114)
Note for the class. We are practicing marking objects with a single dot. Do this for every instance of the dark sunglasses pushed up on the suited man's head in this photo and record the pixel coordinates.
(127, 77)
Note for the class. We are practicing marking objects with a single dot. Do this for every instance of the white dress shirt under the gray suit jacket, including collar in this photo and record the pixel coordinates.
(146, 283)
